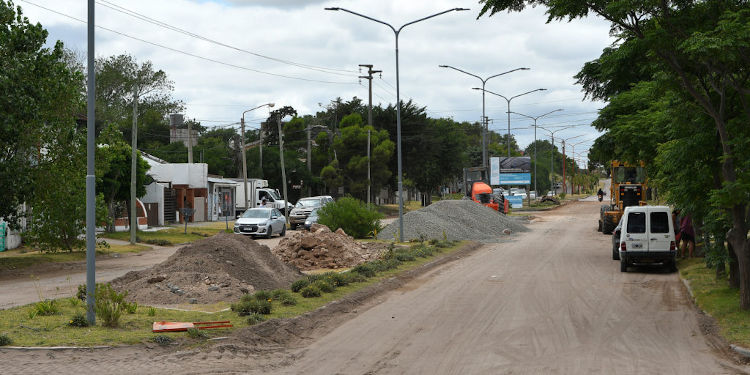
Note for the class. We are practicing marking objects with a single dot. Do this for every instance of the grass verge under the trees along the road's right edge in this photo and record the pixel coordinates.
(715, 297)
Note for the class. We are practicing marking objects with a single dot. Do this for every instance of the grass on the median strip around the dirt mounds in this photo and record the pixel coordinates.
(28, 329)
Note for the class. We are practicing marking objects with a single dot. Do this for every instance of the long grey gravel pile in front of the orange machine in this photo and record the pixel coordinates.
(458, 219)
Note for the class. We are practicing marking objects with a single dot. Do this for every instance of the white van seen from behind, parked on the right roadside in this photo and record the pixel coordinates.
(647, 236)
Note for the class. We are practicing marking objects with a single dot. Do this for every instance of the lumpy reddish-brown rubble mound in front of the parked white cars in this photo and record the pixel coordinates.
(321, 248)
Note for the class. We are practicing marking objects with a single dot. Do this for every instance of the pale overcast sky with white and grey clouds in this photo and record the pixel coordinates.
(248, 52)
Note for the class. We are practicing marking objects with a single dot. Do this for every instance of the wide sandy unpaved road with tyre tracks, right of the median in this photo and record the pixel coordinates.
(551, 301)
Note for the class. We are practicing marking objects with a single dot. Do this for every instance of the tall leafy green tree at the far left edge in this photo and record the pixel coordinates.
(40, 97)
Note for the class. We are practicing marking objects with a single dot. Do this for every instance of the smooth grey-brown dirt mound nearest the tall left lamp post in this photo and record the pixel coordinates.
(219, 268)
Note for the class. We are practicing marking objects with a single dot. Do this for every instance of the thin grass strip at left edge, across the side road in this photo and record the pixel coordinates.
(23, 258)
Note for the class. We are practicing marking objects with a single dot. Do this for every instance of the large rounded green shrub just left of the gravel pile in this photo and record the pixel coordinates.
(352, 215)
